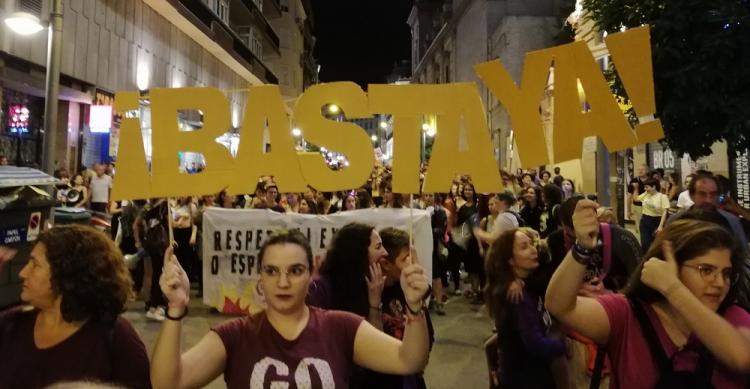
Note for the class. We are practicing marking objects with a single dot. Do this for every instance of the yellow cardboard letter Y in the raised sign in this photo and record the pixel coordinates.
(522, 102)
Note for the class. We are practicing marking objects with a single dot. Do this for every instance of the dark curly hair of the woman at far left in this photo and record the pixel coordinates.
(88, 272)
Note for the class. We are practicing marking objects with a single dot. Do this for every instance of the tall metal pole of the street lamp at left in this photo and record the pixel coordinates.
(52, 90)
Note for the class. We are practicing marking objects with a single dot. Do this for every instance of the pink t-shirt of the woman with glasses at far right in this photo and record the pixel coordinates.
(633, 365)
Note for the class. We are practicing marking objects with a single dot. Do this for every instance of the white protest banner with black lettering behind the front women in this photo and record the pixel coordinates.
(232, 239)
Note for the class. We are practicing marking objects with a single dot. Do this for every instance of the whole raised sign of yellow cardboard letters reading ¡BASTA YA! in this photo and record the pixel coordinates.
(455, 106)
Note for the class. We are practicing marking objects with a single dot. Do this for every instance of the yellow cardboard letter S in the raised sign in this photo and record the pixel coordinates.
(342, 137)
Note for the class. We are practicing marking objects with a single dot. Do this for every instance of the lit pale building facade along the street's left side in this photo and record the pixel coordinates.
(115, 45)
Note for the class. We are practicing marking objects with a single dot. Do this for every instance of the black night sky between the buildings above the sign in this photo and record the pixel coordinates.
(360, 40)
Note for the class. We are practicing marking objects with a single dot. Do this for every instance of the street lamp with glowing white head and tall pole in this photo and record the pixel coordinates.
(27, 24)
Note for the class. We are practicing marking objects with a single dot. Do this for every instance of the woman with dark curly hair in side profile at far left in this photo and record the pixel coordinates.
(77, 286)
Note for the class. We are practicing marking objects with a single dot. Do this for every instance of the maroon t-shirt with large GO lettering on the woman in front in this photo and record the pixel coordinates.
(259, 357)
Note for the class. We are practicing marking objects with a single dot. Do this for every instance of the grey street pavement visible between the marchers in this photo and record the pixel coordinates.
(456, 361)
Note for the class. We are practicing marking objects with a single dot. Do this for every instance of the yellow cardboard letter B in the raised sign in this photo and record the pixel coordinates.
(168, 141)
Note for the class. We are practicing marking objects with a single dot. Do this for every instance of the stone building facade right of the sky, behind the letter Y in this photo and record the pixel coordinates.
(450, 37)
